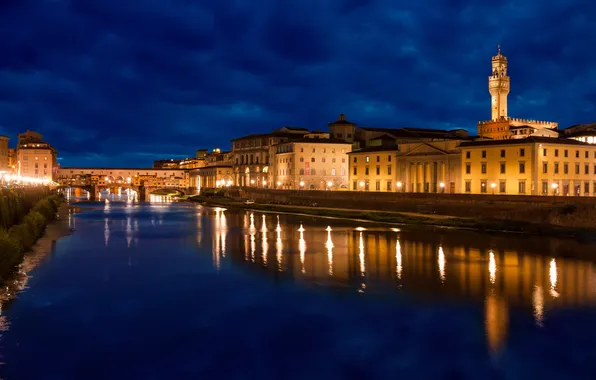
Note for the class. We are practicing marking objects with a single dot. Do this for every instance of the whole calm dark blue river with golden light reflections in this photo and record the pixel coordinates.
(180, 291)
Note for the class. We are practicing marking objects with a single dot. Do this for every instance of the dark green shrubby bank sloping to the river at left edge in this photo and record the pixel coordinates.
(19, 237)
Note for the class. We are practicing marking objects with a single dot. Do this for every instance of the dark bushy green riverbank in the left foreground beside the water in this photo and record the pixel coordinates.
(20, 236)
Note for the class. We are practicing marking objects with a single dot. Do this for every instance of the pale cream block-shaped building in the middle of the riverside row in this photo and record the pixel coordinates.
(315, 162)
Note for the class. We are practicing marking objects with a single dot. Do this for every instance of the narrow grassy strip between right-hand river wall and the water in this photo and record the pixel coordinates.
(402, 218)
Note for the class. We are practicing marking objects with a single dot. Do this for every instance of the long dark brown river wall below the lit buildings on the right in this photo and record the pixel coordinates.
(568, 212)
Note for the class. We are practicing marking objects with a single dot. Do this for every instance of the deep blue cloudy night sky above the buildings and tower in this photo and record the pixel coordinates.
(124, 82)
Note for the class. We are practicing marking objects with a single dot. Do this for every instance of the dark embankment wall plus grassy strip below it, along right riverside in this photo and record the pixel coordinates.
(538, 214)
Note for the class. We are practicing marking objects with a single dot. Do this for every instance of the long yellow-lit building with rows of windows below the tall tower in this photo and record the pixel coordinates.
(531, 166)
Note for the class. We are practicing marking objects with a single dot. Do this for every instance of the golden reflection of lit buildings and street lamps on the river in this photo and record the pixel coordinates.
(500, 272)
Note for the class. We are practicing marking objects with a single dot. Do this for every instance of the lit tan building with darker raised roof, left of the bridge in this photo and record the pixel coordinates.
(34, 157)
